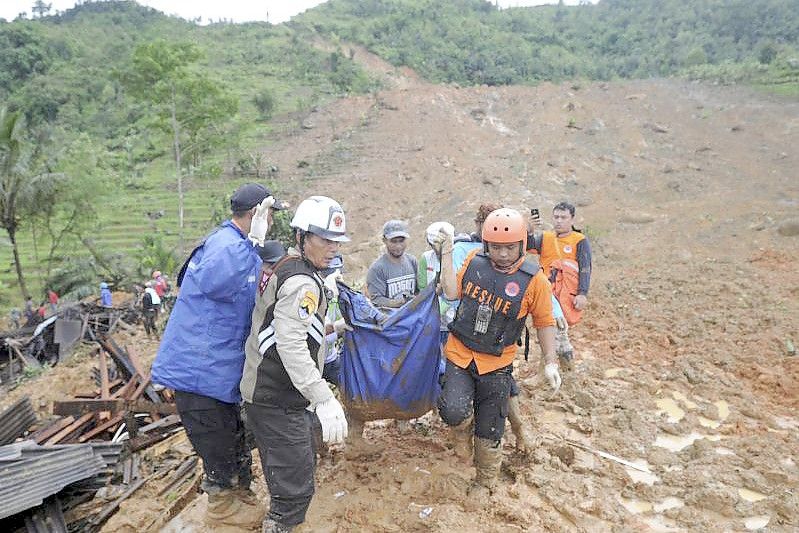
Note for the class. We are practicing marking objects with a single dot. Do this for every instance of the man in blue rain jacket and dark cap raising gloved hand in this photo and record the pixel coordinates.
(201, 355)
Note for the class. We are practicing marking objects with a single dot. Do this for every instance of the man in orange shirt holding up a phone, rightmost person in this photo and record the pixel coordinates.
(564, 242)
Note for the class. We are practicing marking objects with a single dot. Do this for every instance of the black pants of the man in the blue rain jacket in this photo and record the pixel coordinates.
(216, 432)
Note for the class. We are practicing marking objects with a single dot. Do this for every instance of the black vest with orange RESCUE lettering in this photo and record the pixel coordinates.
(503, 293)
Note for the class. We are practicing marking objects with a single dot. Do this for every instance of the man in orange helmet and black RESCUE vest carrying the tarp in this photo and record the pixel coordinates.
(498, 288)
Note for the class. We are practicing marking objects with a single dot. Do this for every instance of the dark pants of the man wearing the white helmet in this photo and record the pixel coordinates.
(288, 459)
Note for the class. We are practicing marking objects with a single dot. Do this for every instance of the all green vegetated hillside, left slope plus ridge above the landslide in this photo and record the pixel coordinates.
(91, 90)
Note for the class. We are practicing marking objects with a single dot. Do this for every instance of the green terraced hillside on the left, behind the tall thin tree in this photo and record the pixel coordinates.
(66, 75)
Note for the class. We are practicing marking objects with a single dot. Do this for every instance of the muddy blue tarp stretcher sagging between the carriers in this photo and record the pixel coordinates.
(389, 363)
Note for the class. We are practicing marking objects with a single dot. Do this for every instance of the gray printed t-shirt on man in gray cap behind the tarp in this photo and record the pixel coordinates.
(391, 284)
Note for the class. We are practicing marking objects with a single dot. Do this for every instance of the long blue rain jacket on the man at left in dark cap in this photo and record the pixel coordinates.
(202, 350)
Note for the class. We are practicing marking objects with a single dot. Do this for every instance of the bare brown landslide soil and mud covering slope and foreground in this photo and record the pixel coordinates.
(681, 188)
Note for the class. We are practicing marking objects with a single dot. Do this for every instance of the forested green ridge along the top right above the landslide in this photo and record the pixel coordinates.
(473, 42)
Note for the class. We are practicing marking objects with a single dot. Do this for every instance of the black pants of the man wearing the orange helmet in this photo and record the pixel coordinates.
(466, 392)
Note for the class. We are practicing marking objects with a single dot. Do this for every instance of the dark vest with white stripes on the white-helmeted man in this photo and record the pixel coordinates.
(273, 385)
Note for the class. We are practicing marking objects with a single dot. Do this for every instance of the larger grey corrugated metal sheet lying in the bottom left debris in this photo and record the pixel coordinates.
(39, 472)
